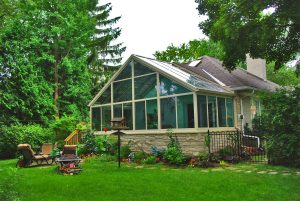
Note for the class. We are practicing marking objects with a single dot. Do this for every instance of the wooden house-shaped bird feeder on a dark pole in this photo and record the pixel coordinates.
(118, 124)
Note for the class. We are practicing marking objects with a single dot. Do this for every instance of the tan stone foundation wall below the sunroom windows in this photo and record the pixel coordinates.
(191, 144)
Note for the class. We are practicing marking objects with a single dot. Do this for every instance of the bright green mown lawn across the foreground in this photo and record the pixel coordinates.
(104, 181)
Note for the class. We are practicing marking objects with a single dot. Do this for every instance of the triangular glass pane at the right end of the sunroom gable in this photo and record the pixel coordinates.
(168, 87)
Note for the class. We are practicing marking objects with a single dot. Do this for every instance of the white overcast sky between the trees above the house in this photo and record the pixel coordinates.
(149, 26)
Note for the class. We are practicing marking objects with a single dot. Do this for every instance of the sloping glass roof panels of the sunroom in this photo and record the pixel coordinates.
(183, 76)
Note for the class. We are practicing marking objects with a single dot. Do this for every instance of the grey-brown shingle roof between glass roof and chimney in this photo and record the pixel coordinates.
(212, 69)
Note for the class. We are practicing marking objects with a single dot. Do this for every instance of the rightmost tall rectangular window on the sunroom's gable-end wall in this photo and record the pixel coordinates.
(185, 111)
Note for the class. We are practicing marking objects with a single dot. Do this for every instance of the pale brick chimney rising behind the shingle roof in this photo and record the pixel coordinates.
(256, 67)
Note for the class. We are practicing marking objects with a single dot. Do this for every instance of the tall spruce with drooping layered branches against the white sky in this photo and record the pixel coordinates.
(105, 56)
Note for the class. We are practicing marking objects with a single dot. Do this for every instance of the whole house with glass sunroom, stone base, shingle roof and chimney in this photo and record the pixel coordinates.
(189, 98)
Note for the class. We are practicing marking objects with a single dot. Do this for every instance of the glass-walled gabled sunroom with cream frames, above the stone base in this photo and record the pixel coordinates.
(154, 96)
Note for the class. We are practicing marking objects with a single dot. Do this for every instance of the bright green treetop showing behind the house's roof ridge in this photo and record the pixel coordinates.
(193, 50)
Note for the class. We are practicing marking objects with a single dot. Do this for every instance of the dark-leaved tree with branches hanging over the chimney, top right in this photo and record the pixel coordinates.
(247, 27)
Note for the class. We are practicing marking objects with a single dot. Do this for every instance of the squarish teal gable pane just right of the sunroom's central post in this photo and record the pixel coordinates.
(145, 87)
